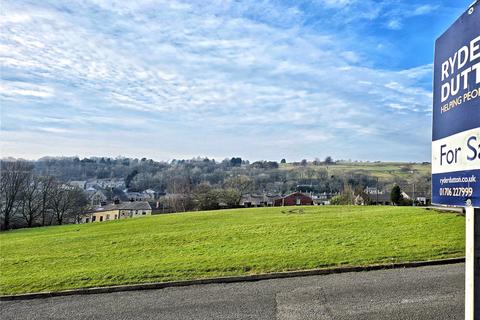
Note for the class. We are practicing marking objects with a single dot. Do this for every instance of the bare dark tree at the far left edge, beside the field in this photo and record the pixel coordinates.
(14, 176)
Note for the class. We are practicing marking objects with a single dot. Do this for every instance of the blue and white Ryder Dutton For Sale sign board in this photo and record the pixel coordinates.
(456, 113)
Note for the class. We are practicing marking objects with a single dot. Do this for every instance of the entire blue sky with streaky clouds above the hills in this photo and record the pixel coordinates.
(257, 79)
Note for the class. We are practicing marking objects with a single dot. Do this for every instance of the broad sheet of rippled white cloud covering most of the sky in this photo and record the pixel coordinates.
(151, 63)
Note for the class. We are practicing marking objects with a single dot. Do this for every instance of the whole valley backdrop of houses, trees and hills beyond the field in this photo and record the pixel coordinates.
(73, 190)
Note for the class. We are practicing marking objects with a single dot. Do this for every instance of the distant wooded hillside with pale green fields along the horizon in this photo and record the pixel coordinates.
(179, 176)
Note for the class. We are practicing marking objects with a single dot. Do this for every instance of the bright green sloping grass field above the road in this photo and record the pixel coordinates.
(222, 243)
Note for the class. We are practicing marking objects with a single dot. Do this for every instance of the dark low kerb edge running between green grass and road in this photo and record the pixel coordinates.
(246, 278)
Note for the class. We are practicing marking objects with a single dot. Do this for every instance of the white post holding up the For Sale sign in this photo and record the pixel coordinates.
(472, 264)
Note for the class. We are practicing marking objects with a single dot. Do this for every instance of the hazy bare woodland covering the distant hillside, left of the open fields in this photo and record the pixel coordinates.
(141, 174)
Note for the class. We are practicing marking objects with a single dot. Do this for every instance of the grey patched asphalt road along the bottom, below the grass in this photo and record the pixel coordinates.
(434, 292)
